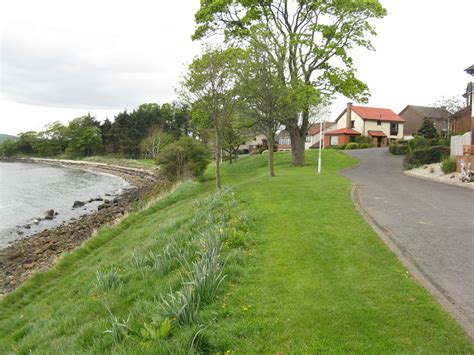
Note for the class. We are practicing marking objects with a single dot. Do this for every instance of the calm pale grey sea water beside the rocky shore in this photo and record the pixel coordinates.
(27, 191)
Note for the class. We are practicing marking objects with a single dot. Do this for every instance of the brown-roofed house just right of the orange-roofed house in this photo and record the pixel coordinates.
(414, 116)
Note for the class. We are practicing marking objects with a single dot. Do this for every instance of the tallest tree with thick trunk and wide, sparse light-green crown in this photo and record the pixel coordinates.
(312, 37)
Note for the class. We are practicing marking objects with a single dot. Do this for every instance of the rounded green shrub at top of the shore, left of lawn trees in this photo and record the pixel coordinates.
(184, 158)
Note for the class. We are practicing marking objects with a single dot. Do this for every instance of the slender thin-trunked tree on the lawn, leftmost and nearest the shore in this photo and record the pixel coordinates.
(209, 86)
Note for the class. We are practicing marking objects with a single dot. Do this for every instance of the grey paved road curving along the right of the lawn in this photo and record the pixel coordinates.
(431, 225)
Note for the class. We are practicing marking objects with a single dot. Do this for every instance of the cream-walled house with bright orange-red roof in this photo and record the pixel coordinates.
(381, 124)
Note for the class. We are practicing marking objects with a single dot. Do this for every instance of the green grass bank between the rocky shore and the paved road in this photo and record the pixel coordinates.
(303, 273)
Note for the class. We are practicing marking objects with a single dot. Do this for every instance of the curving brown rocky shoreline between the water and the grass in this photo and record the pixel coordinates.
(38, 252)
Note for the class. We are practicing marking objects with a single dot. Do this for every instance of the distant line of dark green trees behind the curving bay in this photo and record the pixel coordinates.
(131, 134)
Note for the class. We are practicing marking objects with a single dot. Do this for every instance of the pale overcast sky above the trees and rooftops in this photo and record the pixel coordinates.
(62, 59)
